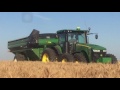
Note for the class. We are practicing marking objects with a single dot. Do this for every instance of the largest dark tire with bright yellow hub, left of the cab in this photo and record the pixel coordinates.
(49, 55)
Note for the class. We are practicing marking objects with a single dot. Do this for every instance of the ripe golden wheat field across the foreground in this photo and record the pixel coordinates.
(37, 69)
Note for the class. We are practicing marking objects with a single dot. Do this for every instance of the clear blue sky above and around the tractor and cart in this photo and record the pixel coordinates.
(14, 25)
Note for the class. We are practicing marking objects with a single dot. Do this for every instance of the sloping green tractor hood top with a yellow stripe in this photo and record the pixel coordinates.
(92, 46)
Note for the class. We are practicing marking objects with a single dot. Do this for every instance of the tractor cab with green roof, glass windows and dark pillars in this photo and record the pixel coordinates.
(68, 38)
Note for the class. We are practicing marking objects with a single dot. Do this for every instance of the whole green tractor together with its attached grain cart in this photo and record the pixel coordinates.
(63, 46)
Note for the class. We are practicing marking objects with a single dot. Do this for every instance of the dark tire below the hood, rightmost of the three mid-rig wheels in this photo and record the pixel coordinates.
(80, 57)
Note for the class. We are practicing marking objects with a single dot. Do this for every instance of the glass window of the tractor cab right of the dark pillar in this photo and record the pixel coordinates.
(78, 37)
